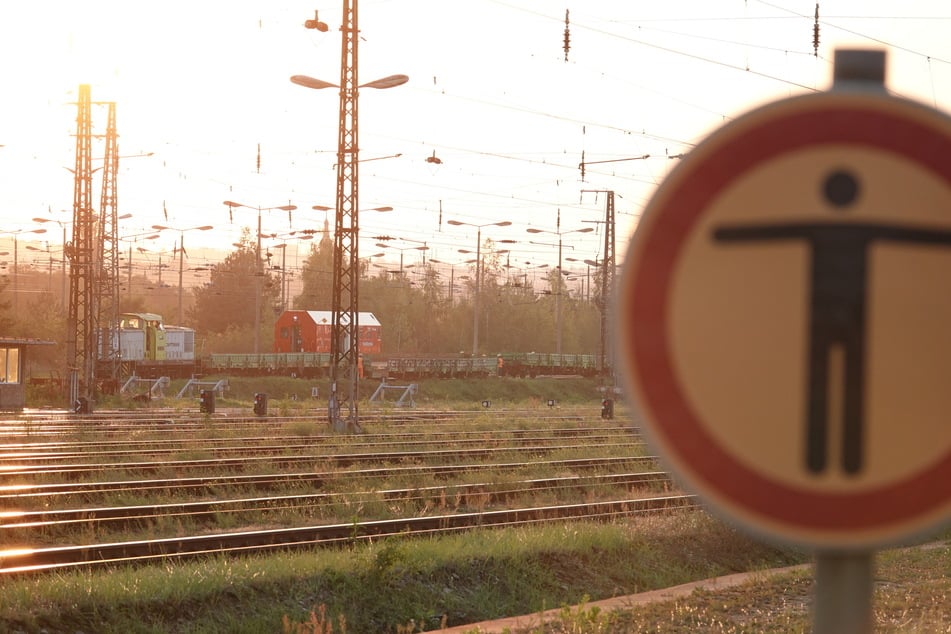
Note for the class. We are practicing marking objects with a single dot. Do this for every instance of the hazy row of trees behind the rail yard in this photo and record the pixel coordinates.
(431, 311)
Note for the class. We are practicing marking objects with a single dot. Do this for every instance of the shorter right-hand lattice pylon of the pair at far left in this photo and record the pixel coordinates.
(107, 283)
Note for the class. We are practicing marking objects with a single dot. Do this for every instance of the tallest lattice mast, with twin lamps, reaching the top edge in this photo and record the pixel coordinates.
(345, 327)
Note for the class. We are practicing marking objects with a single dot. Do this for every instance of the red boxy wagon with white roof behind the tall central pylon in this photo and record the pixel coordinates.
(309, 331)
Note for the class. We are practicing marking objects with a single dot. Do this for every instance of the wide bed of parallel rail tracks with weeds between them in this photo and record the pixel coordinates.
(83, 492)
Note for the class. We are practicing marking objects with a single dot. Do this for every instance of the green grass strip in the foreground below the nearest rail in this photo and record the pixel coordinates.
(393, 584)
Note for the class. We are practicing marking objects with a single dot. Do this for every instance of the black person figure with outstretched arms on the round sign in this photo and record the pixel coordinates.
(837, 319)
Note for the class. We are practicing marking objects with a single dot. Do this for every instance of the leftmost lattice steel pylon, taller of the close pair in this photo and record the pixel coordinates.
(82, 315)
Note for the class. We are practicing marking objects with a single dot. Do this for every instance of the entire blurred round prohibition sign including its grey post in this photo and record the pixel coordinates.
(784, 325)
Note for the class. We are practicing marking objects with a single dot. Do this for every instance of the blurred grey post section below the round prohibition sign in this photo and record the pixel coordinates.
(843, 595)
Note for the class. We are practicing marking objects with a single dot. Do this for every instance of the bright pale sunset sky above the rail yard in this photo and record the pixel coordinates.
(200, 86)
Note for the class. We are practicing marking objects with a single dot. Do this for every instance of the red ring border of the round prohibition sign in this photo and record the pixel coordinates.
(828, 119)
